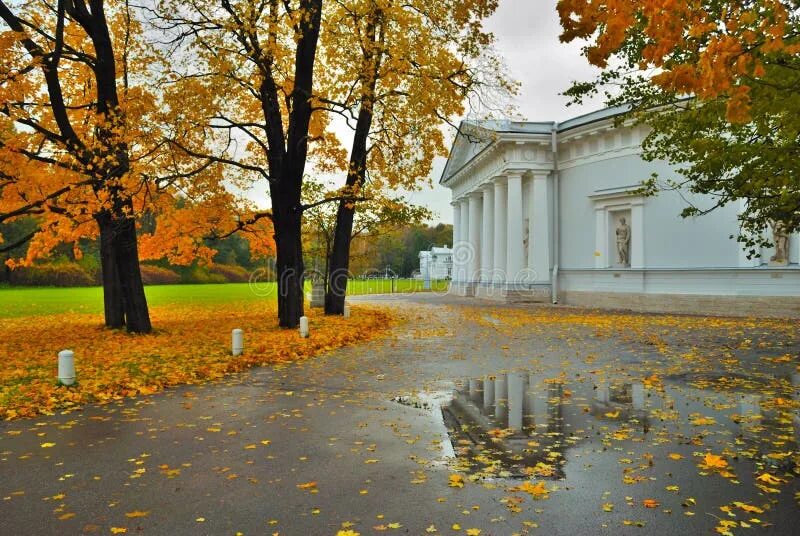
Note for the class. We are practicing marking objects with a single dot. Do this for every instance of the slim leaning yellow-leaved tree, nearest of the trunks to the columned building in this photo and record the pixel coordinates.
(400, 70)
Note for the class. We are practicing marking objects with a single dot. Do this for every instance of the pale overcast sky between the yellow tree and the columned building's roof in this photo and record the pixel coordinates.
(526, 35)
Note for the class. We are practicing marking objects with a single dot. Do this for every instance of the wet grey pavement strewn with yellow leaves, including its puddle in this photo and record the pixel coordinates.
(508, 420)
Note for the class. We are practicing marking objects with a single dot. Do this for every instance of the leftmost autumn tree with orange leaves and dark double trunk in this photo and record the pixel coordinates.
(82, 151)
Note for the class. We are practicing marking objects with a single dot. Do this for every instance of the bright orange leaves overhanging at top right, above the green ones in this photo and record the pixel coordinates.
(700, 48)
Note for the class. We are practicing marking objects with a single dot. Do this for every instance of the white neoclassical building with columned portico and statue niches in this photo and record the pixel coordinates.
(546, 211)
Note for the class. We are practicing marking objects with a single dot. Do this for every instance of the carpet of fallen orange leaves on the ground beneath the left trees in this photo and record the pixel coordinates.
(191, 346)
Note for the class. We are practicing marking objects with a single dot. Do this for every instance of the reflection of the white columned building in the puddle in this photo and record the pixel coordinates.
(518, 424)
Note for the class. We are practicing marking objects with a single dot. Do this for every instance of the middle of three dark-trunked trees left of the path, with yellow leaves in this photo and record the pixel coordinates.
(255, 62)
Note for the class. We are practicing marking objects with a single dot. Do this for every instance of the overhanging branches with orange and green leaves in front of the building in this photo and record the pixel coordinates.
(718, 83)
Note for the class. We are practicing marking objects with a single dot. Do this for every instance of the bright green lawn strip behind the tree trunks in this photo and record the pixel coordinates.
(24, 301)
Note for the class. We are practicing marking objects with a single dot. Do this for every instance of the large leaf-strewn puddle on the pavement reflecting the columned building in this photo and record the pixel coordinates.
(728, 439)
